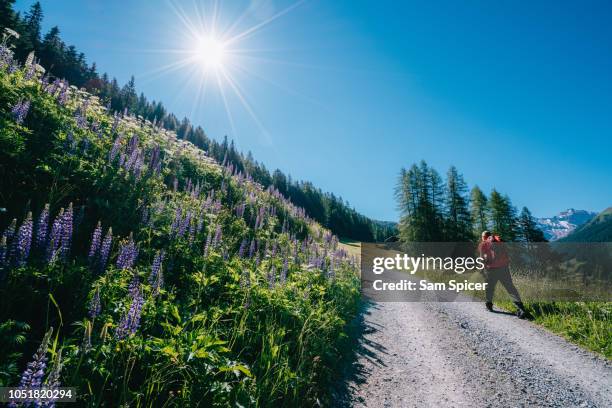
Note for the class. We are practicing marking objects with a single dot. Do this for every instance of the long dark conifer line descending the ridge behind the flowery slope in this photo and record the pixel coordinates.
(64, 61)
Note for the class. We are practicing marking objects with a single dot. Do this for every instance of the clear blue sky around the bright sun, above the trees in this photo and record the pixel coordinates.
(517, 95)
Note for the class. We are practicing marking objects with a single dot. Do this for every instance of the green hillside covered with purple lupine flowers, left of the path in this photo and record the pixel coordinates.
(145, 273)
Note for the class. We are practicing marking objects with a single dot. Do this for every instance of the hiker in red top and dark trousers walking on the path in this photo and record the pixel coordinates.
(492, 250)
